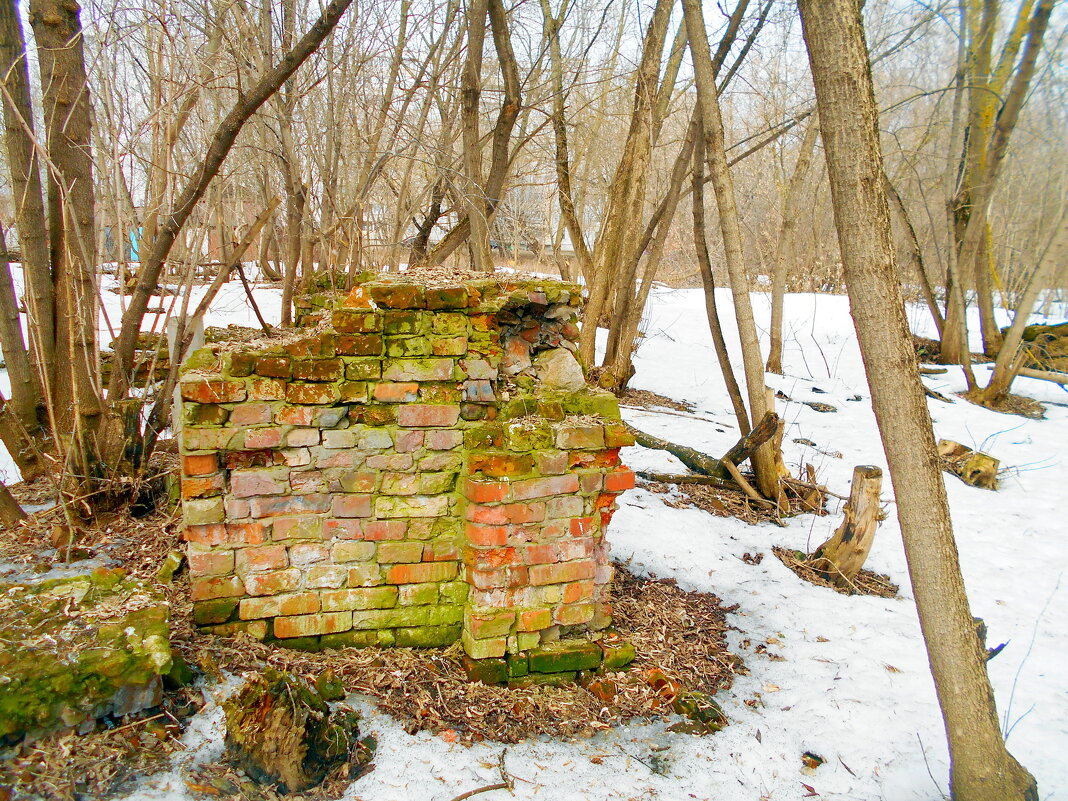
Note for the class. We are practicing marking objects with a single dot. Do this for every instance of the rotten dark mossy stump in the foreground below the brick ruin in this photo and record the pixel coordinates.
(281, 732)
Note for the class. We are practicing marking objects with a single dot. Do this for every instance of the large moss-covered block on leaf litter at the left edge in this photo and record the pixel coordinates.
(77, 649)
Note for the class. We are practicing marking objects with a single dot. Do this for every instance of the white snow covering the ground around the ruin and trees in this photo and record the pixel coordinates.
(854, 685)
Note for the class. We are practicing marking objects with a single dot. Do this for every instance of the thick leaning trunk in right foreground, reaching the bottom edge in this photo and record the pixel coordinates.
(982, 768)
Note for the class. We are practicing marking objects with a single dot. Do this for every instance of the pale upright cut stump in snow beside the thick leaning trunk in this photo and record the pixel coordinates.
(843, 556)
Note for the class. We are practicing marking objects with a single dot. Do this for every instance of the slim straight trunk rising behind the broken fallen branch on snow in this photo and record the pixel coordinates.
(767, 462)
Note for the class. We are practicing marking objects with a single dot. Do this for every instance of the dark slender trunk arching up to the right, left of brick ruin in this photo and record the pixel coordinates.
(198, 183)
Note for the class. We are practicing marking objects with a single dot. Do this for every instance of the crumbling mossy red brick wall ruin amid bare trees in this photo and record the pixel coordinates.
(415, 466)
